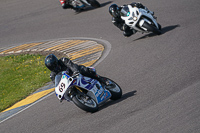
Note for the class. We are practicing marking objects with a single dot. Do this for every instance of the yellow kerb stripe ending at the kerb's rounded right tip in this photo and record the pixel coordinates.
(85, 52)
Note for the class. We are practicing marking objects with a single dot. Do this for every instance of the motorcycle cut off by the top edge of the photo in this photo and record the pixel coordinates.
(81, 4)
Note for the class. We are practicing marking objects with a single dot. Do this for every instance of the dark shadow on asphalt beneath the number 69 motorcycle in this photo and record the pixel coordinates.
(111, 102)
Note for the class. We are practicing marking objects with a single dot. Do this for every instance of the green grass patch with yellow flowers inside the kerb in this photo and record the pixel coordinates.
(20, 76)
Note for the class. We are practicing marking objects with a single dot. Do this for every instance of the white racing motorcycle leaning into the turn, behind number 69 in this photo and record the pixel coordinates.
(140, 20)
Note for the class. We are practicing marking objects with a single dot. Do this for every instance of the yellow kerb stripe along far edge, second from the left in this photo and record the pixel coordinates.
(65, 45)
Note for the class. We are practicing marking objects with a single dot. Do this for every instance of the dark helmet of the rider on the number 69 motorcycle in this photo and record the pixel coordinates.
(51, 62)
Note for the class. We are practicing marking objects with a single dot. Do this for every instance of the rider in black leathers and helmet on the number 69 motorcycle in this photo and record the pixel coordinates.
(65, 64)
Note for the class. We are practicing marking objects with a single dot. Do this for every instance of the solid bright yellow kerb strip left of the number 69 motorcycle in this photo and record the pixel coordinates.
(30, 99)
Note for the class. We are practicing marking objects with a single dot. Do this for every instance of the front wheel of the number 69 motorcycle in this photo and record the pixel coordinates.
(88, 105)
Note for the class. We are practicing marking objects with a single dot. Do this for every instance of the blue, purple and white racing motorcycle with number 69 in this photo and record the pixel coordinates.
(85, 92)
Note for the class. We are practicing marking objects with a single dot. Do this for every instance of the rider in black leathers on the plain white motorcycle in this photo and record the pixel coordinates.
(116, 11)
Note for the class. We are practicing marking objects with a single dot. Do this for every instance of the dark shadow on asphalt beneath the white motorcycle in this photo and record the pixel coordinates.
(164, 30)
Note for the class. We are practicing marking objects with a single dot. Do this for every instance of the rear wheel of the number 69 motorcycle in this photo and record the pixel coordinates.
(114, 89)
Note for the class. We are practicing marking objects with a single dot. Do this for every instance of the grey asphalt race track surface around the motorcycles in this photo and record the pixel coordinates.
(164, 70)
